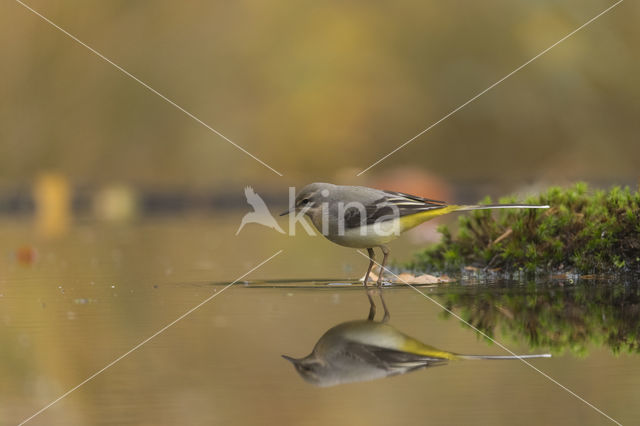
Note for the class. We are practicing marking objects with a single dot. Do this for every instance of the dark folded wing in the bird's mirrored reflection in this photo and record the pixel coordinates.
(393, 361)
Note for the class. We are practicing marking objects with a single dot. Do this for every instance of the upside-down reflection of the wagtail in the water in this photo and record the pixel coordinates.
(364, 350)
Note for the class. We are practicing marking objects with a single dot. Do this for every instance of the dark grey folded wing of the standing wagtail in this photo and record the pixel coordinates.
(390, 205)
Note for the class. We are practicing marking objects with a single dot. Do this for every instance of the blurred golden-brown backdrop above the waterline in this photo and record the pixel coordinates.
(318, 91)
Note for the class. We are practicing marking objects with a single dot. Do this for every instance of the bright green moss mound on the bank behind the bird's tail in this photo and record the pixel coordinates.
(583, 231)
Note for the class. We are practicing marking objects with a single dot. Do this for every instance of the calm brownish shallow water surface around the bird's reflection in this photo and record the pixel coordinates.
(84, 300)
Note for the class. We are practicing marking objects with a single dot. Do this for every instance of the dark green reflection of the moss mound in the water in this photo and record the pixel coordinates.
(558, 318)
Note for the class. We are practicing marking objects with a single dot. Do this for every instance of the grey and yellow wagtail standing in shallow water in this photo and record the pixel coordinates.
(361, 217)
